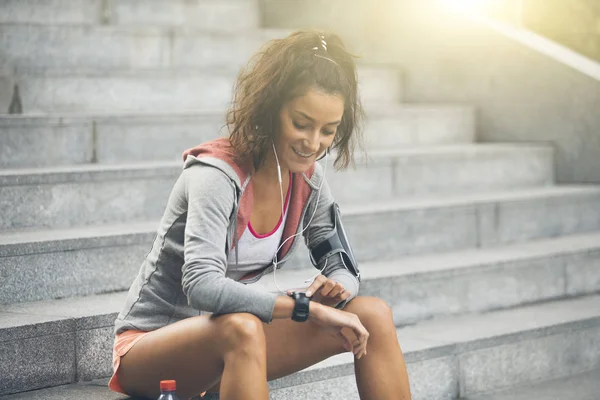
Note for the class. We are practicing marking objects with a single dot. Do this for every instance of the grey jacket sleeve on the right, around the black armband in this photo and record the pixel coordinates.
(322, 227)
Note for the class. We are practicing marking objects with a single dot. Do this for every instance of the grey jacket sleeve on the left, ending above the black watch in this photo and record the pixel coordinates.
(210, 204)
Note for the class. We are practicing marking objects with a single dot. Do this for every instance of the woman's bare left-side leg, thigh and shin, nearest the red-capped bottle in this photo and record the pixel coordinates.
(198, 352)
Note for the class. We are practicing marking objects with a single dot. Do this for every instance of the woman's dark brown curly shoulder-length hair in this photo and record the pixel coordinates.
(282, 70)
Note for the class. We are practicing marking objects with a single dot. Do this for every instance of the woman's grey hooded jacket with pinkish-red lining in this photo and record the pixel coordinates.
(184, 273)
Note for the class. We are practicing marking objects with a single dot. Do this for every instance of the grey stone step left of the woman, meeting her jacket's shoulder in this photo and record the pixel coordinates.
(89, 201)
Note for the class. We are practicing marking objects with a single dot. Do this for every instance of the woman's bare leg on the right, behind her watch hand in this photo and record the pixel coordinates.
(381, 374)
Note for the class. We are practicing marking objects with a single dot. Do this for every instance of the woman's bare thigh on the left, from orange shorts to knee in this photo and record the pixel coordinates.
(190, 351)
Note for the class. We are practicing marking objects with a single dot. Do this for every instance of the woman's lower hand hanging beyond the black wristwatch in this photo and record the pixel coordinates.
(334, 320)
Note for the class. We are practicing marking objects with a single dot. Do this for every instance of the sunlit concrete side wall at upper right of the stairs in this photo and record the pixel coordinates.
(520, 94)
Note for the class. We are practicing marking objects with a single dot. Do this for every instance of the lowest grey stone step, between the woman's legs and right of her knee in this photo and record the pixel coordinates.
(474, 354)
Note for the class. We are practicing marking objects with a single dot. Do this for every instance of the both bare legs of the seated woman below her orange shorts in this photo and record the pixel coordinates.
(196, 351)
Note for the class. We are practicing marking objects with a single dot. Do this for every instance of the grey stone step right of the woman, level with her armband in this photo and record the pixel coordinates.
(419, 225)
